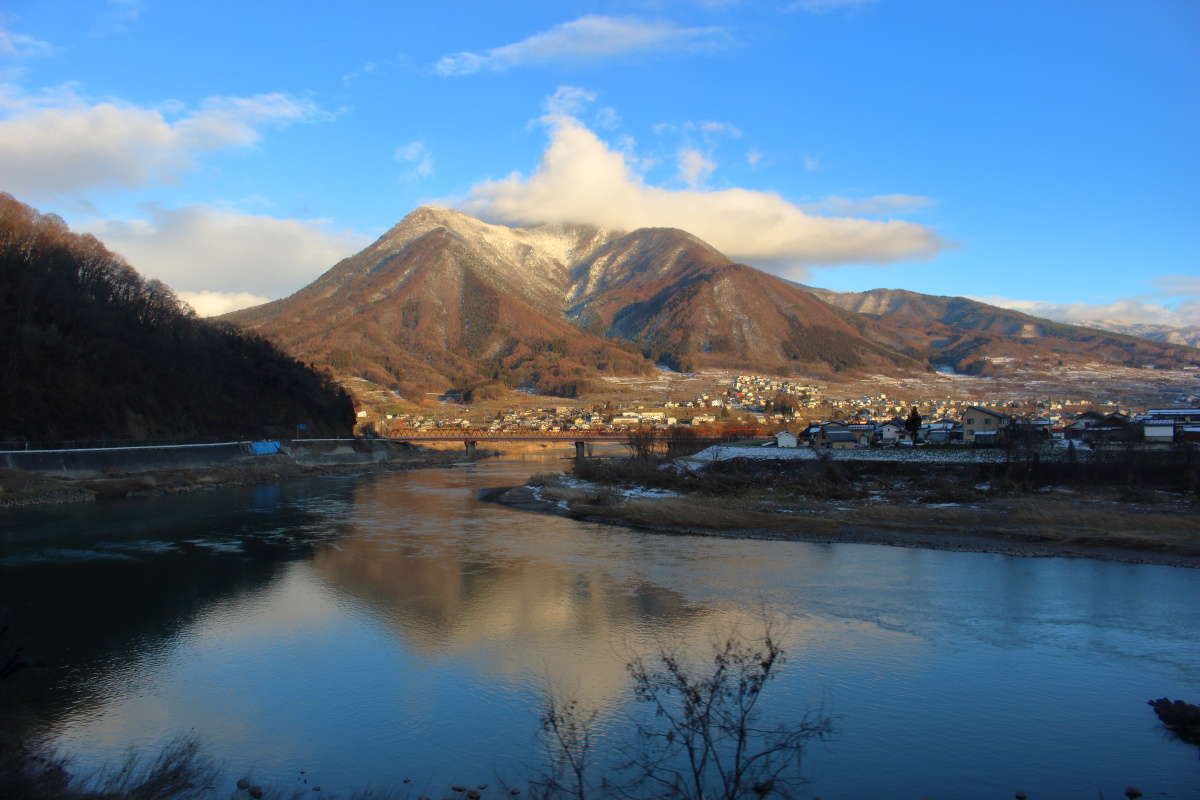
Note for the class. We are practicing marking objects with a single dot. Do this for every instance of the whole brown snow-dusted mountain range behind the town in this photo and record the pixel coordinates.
(447, 302)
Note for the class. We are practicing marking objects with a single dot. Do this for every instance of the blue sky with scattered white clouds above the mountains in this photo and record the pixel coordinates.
(1042, 153)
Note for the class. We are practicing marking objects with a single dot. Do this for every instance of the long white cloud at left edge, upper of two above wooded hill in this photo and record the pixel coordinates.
(55, 142)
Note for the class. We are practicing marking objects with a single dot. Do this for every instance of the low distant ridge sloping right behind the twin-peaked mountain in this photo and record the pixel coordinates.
(977, 339)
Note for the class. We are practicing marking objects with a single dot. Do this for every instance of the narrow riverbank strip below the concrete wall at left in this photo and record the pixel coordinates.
(26, 488)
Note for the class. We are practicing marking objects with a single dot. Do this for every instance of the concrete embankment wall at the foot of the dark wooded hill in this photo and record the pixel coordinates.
(111, 461)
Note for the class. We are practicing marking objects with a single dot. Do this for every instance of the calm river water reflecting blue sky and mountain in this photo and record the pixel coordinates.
(391, 627)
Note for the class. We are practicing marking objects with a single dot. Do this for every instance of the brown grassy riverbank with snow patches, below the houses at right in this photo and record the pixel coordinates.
(1165, 530)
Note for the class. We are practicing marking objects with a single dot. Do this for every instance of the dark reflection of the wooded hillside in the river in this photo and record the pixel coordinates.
(94, 592)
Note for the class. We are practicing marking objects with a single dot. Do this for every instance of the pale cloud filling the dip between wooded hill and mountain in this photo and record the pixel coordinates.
(202, 251)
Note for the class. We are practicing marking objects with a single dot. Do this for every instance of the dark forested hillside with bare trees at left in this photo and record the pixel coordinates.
(92, 351)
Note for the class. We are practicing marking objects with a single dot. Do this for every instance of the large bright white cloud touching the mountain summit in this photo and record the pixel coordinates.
(581, 179)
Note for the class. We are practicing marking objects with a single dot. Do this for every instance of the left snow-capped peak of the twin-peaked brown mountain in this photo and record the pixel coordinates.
(442, 302)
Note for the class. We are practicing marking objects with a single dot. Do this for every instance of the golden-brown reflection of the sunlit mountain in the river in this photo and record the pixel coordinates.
(499, 598)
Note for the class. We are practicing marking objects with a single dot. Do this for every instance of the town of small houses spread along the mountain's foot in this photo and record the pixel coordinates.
(813, 416)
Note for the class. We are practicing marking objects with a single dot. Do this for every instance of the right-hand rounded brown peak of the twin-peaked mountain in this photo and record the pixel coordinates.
(688, 305)
